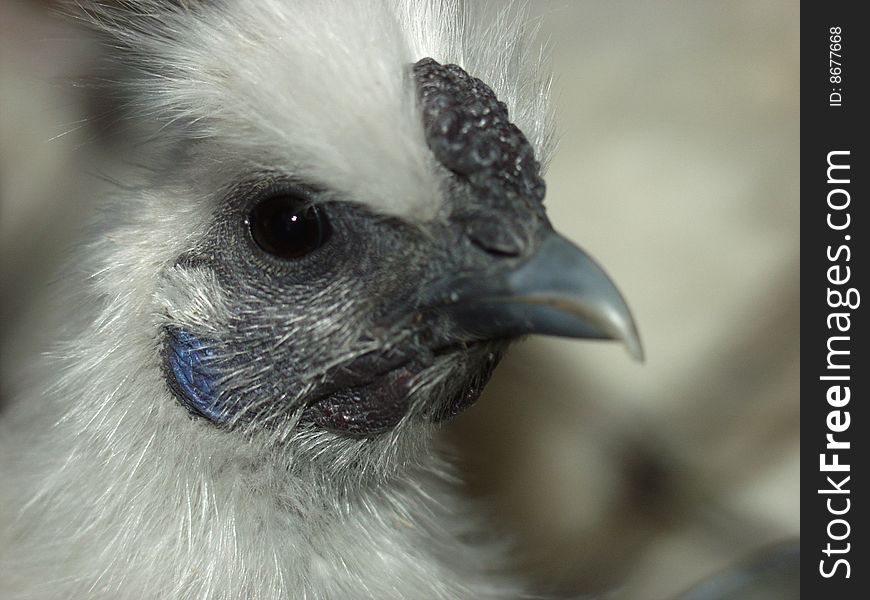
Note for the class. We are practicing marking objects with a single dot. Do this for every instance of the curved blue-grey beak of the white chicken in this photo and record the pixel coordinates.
(558, 291)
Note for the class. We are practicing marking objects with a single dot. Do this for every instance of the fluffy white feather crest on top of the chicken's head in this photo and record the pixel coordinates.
(321, 89)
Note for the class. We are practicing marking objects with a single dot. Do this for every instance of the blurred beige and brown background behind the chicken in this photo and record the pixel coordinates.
(678, 170)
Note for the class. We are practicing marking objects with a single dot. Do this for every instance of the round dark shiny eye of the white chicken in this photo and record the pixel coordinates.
(288, 226)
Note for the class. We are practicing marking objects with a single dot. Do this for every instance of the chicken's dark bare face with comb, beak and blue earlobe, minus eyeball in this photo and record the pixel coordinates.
(381, 320)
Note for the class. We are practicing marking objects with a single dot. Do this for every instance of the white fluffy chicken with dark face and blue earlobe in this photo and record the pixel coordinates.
(323, 233)
